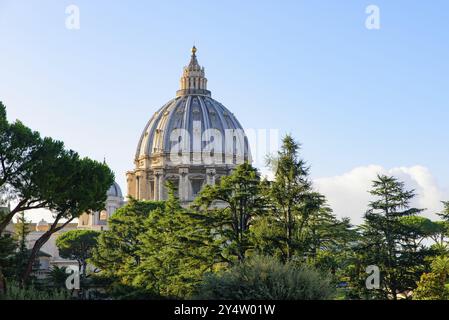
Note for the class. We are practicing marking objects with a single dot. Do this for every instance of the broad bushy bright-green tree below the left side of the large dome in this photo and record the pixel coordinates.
(155, 250)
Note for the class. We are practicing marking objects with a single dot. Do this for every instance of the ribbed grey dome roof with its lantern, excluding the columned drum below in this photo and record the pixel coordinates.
(195, 112)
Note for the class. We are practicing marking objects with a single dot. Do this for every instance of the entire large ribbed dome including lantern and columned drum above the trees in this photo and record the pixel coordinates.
(191, 141)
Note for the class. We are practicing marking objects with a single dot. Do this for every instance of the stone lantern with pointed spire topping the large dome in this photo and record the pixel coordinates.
(193, 79)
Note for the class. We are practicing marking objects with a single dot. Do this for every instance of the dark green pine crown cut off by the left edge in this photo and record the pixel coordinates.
(25, 167)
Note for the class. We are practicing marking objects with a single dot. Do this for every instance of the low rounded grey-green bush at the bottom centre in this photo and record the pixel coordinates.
(261, 278)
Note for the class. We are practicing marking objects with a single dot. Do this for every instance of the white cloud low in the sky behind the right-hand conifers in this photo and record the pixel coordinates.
(348, 194)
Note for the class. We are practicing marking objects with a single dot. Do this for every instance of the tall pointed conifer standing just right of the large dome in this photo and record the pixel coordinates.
(299, 225)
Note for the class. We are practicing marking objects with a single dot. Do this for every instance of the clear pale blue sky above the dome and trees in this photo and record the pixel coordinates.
(354, 97)
